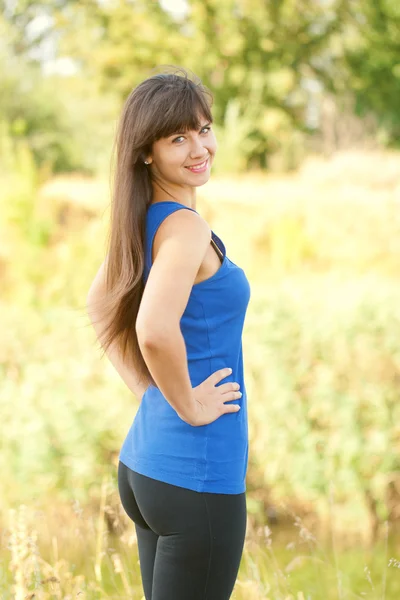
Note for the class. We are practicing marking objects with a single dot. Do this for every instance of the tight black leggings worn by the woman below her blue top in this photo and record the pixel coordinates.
(190, 543)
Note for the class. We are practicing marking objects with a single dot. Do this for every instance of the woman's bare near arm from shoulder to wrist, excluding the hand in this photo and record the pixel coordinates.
(184, 238)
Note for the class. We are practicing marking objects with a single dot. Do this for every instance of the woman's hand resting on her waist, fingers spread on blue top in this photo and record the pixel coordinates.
(210, 400)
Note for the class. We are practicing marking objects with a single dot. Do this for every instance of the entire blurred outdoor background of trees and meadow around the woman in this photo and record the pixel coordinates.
(304, 193)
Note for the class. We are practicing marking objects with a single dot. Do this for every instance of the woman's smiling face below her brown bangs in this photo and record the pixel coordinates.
(184, 158)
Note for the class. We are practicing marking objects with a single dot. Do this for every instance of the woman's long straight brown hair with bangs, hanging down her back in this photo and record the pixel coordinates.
(158, 107)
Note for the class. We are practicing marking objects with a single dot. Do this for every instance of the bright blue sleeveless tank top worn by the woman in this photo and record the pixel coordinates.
(159, 444)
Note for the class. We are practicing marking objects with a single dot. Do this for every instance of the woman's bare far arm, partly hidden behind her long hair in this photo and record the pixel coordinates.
(125, 370)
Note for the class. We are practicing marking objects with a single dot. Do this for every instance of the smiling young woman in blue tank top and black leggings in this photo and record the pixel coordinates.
(169, 307)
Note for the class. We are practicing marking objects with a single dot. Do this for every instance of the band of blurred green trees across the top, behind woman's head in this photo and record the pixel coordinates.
(68, 66)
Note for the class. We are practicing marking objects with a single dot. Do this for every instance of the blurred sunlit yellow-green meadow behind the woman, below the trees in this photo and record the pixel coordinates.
(321, 249)
